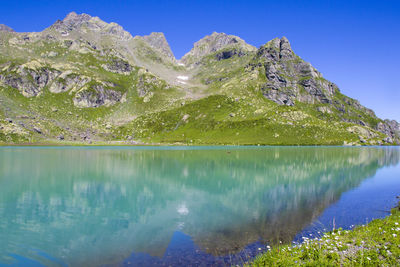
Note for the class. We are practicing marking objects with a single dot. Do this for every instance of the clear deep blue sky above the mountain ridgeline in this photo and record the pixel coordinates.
(355, 44)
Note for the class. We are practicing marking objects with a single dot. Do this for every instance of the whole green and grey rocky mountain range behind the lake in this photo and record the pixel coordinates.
(86, 80)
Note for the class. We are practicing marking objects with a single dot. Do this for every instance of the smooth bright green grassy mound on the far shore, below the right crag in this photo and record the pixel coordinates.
(219, 119)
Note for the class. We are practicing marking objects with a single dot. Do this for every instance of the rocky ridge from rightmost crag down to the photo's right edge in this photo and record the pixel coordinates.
(289, 79)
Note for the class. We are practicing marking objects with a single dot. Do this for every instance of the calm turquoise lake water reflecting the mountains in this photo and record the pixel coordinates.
(173, 206)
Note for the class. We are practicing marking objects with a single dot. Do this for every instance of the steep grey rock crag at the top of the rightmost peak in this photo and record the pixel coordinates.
(290, 79)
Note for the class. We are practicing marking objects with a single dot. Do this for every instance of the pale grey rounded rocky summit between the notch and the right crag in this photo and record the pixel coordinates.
(212, 43)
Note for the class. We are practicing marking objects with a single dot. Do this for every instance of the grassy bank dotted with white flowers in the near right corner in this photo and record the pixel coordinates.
(376, 244)
